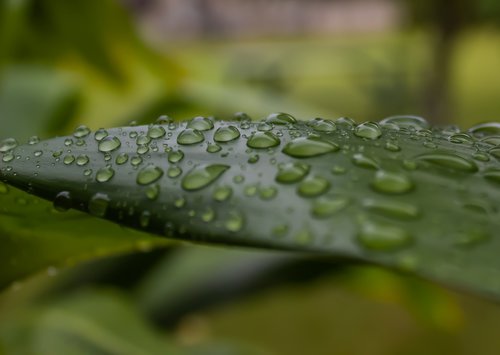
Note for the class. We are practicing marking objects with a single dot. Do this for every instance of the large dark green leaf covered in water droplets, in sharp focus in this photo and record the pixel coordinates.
(398, 193)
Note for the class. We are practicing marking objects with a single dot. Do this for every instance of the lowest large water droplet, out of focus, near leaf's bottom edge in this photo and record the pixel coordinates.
(378, 237)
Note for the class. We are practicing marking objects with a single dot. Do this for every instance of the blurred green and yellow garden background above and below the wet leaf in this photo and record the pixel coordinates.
(106, 63)
